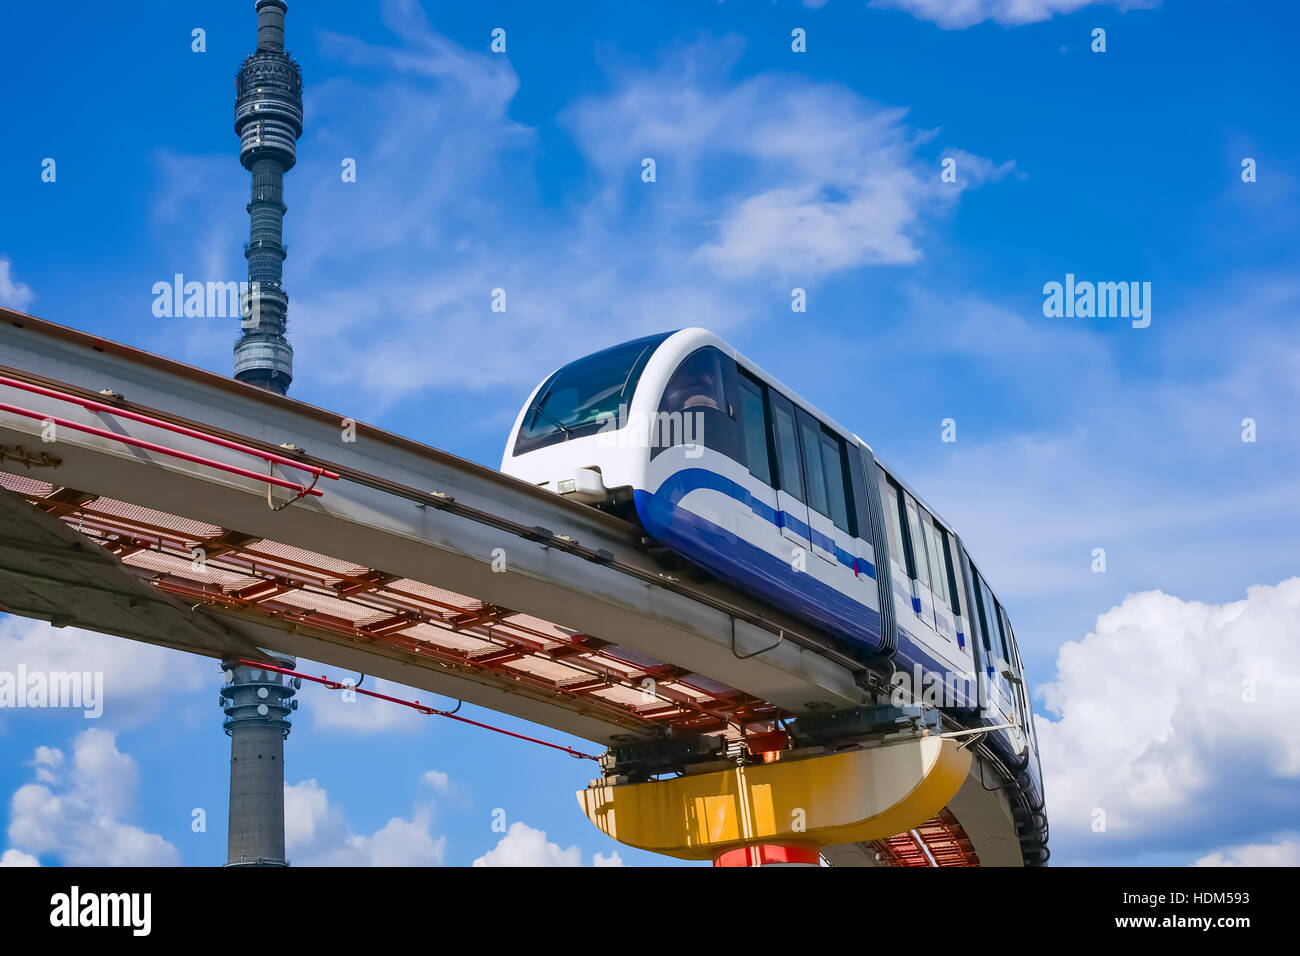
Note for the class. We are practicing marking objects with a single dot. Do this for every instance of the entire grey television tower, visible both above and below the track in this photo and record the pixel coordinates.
(270, 120)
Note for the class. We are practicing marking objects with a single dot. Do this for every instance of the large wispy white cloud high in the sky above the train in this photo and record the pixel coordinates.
(818, 180)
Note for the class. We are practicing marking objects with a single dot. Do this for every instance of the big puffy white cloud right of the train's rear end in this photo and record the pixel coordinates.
(1175, 719)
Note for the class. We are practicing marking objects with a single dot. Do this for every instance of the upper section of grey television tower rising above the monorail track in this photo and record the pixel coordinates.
(270, 122)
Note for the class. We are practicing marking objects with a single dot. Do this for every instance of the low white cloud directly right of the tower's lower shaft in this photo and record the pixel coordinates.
(317, 834)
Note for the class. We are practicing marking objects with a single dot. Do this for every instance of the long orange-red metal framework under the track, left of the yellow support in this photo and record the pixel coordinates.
(289, 587)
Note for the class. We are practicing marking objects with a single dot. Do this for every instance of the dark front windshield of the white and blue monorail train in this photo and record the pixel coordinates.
(586, 395)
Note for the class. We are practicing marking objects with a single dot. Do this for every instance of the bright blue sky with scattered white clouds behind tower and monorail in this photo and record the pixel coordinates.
(774, 171)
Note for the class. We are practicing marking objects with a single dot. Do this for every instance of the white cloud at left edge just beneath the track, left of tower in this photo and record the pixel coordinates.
(135, 673)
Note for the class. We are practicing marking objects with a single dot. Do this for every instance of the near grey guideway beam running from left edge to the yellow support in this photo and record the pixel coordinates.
(397, 508)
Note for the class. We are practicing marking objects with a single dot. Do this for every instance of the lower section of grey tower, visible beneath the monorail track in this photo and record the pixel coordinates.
(258, 706)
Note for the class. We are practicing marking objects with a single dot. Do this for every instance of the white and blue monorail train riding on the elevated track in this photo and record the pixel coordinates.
(736, 474)
